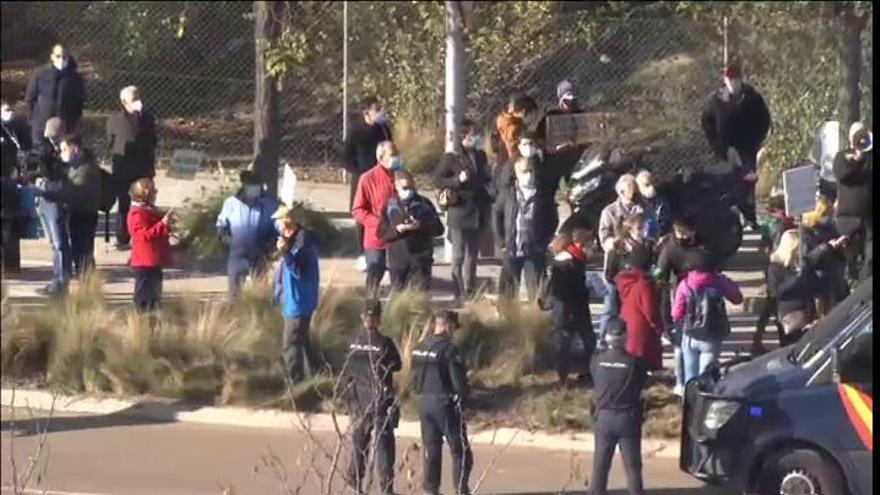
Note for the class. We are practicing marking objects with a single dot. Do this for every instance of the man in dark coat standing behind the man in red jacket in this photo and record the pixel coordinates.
(359, 154)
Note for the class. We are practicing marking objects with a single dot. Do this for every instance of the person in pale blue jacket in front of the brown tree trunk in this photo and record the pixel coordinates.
(245, 224)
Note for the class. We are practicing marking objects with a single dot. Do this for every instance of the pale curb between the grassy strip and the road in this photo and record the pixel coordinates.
(156, 410)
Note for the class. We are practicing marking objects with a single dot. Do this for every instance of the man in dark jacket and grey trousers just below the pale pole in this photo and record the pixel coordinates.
(466, 175)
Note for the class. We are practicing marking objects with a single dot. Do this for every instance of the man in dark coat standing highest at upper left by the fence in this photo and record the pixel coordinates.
(55, 90)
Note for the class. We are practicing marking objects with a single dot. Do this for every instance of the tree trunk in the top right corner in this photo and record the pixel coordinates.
(849, 56)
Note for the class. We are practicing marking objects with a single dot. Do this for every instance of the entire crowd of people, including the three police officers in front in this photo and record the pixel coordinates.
(661, 279)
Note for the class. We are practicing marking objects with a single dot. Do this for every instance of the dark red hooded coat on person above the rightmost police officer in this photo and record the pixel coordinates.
(639, 309)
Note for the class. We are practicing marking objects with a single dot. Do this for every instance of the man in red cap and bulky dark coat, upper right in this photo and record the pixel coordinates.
(737, 117)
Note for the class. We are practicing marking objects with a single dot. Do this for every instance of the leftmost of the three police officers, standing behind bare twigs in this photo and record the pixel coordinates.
(372, 358)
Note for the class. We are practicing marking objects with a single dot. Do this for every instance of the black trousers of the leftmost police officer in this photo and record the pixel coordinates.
(373, 419)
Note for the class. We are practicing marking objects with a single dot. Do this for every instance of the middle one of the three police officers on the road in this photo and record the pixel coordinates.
(439, 375)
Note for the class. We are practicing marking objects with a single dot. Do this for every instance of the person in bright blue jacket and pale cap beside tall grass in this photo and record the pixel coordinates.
(296, 291)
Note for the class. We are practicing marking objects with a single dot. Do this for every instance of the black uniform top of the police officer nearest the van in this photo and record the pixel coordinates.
(618, 378)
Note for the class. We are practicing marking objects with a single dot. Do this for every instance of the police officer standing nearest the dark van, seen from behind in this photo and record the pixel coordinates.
(618, 378)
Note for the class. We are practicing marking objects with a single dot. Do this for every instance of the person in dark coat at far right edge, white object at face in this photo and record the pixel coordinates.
(853, 168)
